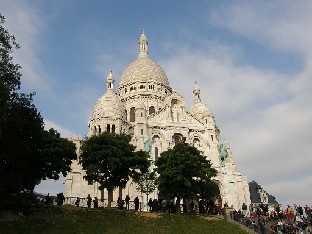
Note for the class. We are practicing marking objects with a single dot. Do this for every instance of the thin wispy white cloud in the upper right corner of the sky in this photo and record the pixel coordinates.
(281, 24)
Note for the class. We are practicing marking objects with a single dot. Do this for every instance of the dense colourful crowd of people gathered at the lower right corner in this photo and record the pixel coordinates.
(265, 218)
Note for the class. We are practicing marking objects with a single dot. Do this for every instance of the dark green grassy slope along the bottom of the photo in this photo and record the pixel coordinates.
(60, 220)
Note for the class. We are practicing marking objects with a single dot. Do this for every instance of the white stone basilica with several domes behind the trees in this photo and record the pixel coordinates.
(154, 114)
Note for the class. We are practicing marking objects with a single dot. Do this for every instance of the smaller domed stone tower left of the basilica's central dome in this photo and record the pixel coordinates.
(108, 113)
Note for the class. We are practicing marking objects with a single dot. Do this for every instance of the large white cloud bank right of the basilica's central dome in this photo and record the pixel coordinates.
(265, 115)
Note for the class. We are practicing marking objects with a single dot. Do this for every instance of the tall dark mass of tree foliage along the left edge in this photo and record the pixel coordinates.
(24, 158)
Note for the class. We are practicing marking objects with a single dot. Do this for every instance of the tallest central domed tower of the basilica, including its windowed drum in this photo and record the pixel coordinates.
(143, 81)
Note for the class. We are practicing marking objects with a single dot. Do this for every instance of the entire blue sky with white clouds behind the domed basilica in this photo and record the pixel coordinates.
(252, 60)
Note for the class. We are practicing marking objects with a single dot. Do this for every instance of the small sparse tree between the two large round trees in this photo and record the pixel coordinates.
(146, 183)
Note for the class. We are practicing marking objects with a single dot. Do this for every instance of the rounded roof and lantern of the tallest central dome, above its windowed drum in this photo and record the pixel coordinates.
(143, 69)
